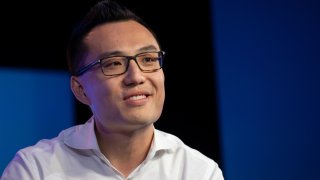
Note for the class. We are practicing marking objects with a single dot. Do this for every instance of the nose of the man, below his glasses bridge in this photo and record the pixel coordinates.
(134, 75)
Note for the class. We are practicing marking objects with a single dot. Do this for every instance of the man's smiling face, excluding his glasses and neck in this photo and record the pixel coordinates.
(128, 101)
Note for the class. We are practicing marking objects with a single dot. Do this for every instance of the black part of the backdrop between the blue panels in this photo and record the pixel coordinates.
(34, 35)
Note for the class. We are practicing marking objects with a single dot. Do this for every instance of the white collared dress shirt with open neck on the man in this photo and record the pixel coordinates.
(75, 155)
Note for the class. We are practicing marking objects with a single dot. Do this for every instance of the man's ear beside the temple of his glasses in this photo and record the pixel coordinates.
(78, 90)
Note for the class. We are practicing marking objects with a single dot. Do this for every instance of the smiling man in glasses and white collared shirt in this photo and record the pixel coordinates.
(116, 66)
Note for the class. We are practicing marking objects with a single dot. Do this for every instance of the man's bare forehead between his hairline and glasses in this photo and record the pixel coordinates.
(119, 36)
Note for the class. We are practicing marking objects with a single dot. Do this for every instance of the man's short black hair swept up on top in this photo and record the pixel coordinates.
(104, 11)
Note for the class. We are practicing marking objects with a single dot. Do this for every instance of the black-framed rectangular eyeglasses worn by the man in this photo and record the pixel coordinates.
(117, 65)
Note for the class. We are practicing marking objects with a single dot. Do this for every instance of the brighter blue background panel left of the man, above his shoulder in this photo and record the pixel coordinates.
(35, 104)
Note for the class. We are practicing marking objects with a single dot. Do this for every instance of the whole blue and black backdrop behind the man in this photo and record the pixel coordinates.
(242, 80)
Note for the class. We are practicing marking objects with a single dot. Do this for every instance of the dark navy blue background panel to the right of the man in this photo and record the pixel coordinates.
(267, 60)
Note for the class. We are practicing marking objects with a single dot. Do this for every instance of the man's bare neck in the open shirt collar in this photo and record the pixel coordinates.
(125, 150)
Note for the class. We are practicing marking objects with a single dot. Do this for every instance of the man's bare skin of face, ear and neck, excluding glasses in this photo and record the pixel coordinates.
(126, 106)
